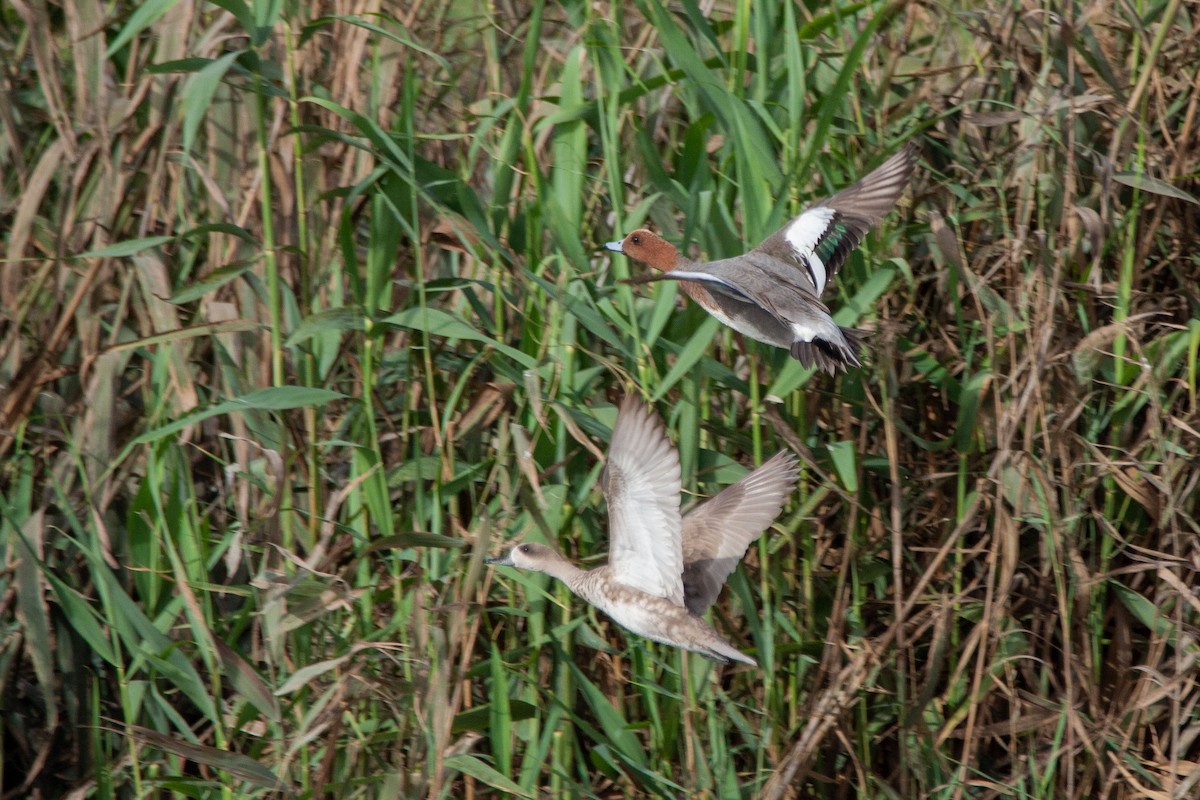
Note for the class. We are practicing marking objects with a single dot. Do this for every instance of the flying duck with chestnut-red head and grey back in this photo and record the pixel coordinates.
(773, 293)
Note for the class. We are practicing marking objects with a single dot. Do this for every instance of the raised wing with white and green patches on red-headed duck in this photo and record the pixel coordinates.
(820, 239)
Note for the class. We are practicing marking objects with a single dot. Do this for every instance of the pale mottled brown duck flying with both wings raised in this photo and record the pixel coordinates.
(667, 570)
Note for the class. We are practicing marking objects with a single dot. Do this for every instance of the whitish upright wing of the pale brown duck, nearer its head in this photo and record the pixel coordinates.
(641, 484)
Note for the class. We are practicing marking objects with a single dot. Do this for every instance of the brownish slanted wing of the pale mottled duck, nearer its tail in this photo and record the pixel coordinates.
(717, 533)
